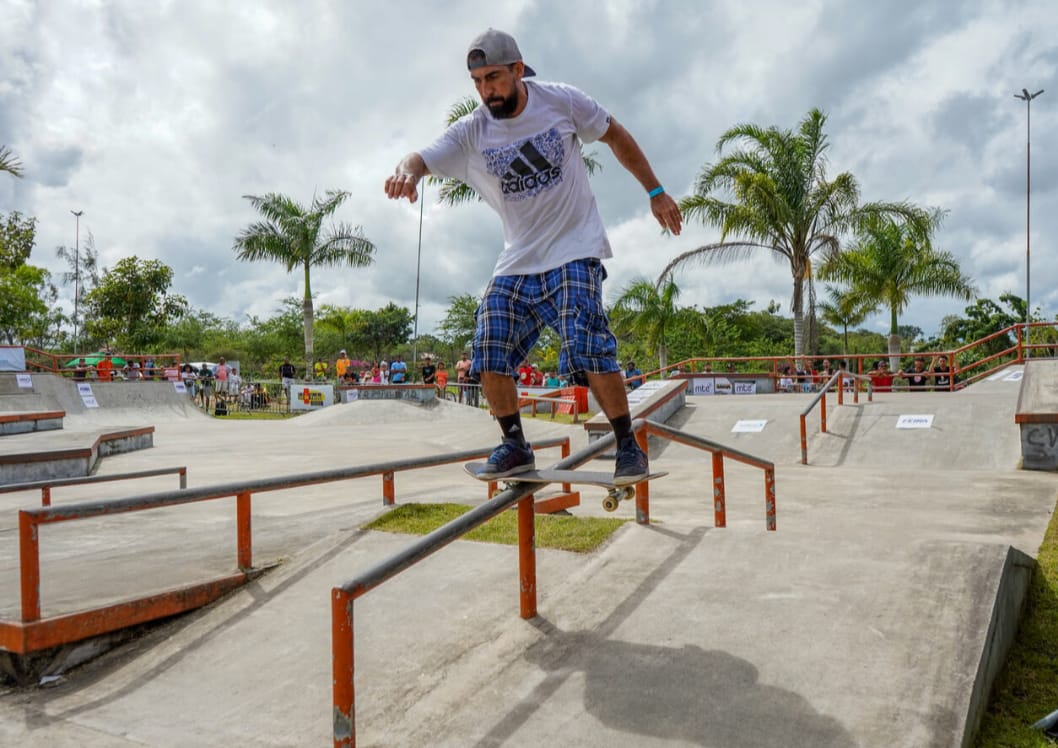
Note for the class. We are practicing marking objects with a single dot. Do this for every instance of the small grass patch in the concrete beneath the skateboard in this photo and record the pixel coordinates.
(579, 535)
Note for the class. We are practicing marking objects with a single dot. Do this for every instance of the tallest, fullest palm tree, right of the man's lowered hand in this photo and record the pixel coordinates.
(782, 204)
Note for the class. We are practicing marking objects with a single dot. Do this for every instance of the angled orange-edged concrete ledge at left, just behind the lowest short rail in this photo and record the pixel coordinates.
(77, 455)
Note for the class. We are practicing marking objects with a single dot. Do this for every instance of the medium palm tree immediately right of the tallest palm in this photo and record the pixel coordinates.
(889, 264)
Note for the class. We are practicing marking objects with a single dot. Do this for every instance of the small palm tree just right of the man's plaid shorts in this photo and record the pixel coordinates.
(650, 313)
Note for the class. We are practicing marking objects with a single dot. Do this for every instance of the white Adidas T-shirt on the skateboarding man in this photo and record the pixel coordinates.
(531, 171)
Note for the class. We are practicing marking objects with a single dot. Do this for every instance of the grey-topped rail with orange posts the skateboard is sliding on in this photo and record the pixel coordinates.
(522, 495)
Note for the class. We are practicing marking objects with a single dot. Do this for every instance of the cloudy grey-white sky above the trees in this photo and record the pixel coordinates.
(156, 118)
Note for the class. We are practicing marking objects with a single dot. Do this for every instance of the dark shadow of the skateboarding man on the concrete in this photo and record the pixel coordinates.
(682, 694)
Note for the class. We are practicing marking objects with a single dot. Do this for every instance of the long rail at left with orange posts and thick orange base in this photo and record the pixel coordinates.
(33, 634)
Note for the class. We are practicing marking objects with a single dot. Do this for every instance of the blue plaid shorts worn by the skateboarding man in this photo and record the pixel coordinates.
(569, 300)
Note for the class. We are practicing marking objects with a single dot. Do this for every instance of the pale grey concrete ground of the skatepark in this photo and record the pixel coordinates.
(863, 622)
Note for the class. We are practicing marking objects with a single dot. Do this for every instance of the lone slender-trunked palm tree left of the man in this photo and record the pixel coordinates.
(296, 236)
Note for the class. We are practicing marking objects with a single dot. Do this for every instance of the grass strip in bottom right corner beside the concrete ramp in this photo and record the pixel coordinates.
(1028, 689)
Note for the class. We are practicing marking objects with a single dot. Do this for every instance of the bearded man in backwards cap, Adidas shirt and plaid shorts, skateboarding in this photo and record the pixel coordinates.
(522, 154)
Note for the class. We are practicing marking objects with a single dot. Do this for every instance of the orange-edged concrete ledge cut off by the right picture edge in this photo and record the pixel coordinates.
(1037, 415)
